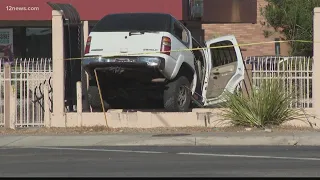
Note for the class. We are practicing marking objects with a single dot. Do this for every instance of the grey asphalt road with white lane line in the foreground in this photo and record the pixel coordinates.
(217, 161)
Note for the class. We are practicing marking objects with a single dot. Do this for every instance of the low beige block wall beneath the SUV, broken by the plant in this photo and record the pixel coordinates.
(197, 118)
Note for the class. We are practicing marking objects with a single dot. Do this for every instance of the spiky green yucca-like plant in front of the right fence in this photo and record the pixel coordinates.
(269, 105)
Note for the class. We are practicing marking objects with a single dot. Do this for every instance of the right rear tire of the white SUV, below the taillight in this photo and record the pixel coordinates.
(177, 96)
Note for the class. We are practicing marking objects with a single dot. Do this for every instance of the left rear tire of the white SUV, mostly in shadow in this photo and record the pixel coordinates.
(94, 99)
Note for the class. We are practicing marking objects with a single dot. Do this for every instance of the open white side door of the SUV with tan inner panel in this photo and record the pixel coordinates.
(225, 69)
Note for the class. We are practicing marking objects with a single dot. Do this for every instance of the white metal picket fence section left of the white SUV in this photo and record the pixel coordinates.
(28, 77)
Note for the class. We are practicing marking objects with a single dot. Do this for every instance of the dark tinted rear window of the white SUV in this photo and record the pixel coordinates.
(133, 22)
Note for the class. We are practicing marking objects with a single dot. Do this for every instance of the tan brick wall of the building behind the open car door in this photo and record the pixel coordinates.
(249, 33)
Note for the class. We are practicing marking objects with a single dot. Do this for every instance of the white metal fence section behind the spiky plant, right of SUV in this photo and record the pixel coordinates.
(294, 72)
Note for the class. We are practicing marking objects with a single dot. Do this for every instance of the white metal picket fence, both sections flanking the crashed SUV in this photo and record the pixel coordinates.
(28, 77)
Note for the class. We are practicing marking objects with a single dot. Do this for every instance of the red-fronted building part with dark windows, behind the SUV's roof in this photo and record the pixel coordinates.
(25, 25)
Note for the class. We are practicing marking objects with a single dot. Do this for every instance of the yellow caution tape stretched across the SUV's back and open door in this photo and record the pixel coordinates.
(193, 49)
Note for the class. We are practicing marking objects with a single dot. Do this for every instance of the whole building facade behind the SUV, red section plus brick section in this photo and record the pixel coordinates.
(25, 25)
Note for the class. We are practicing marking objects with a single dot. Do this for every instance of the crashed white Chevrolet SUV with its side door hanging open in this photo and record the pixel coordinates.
(145, 60)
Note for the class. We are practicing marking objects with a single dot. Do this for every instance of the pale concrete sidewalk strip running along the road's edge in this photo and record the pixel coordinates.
(198, 139)
